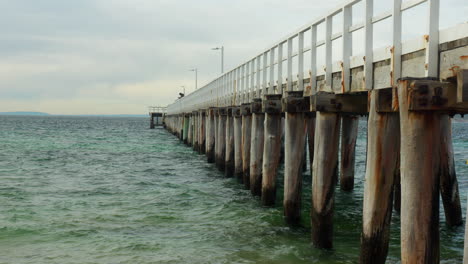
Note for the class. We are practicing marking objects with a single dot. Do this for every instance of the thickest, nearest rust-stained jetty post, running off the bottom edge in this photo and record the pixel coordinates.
(420, 162)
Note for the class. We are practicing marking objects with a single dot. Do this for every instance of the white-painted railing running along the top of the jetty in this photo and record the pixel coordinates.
(272, 71)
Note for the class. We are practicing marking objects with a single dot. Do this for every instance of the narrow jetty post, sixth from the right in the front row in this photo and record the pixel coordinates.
(256, 147)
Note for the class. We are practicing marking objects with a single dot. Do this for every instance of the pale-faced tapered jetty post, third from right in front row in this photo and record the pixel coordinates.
(325, 174)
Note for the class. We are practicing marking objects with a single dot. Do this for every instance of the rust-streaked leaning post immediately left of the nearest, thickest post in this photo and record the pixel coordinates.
(383, 147)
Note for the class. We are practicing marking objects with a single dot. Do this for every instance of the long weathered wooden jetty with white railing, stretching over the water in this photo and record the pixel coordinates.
(409, 91)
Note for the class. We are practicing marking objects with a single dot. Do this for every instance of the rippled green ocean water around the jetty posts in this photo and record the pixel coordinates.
(110, 190)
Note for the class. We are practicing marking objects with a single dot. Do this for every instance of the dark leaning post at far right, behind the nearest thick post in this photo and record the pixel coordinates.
(448, 177)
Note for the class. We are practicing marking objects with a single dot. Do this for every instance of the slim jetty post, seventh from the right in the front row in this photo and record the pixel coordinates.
(246, 140)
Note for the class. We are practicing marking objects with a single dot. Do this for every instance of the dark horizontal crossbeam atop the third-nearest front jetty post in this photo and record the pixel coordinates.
(353, 103)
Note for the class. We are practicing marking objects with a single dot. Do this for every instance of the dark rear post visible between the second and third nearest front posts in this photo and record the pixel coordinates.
(348, 146)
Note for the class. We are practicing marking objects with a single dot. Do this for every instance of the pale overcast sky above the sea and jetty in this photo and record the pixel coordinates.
(120, 56)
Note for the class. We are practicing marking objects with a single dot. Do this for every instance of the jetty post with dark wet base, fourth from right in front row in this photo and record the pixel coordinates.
(294, 106)
